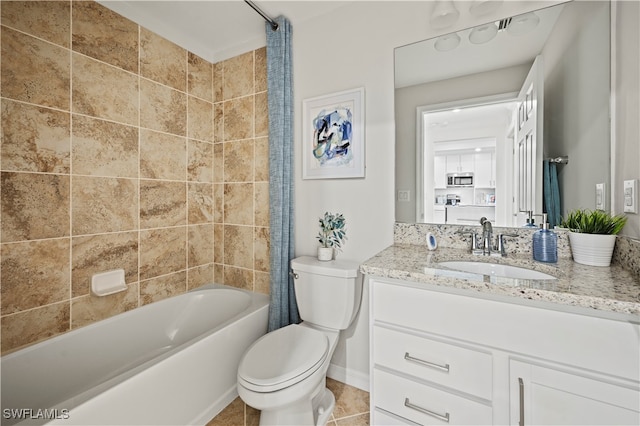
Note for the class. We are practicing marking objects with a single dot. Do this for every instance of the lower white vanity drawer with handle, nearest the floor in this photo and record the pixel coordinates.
(424, 404)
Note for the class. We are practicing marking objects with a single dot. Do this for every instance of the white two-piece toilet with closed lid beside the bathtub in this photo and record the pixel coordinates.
(283, 373)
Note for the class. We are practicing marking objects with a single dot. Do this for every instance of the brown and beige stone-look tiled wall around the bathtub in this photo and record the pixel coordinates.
(123, 150)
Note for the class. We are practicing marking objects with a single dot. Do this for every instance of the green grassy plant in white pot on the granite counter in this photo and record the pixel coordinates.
(592, 235)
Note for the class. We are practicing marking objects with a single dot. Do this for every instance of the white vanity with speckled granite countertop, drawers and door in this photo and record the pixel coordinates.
(450, 349)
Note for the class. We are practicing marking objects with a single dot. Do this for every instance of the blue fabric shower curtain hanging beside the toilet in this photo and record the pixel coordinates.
(283, 309)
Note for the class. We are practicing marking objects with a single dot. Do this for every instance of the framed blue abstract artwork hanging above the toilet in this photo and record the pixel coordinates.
(333, 136)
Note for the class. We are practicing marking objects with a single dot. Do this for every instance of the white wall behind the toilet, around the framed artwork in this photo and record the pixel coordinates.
(353, 47)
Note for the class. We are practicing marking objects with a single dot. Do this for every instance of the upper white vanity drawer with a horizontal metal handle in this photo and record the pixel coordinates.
(457, 367)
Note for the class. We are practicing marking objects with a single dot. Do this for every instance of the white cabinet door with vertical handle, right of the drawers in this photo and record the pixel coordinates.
(547, 396)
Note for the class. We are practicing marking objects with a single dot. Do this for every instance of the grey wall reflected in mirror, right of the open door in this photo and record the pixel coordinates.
(576, 110)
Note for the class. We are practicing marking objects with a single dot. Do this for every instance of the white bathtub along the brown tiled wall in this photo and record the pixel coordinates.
(172, 362)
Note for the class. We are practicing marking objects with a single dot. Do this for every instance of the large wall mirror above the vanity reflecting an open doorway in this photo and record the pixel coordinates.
(458, 114)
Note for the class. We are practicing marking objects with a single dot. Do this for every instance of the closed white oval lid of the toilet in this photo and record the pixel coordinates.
(282, 358)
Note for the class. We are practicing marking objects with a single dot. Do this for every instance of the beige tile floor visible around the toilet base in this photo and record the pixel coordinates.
(352, 409)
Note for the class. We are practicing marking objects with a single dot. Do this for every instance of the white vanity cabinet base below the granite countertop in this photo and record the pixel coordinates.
(455, 357)
